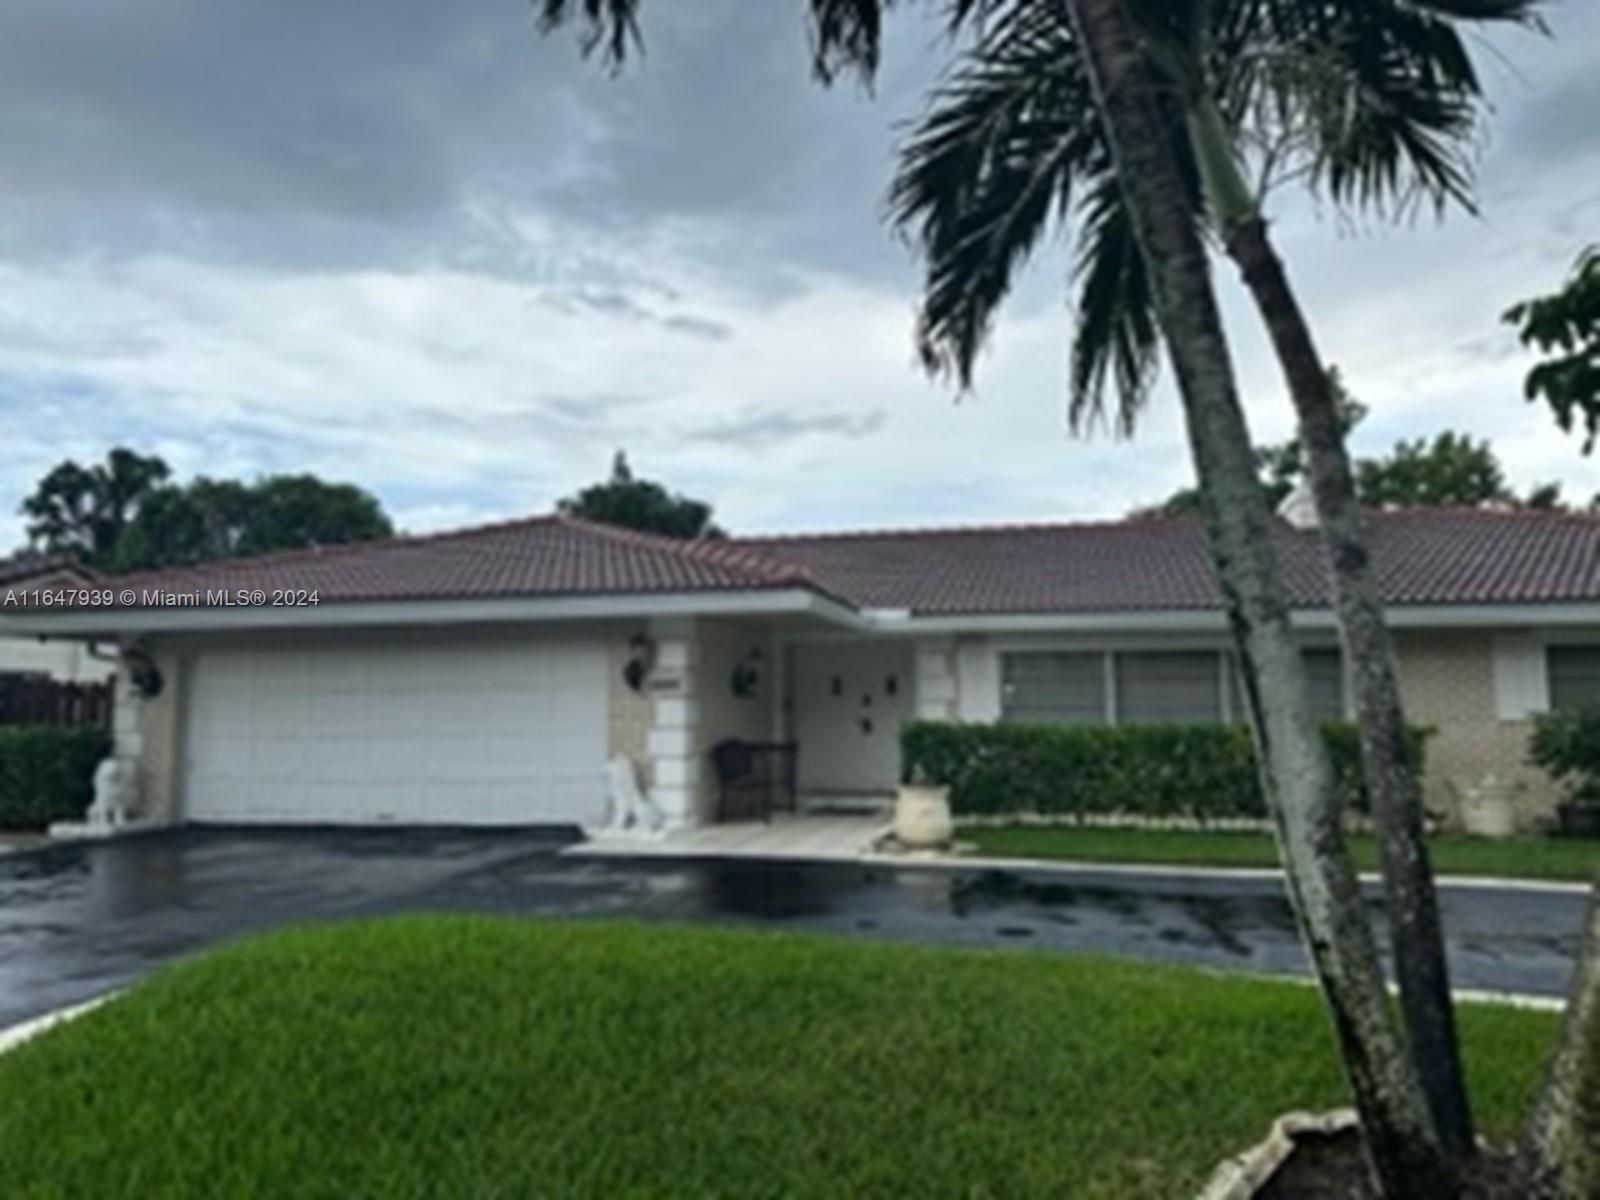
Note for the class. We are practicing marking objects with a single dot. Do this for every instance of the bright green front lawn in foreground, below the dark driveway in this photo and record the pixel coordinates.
(474, 1057)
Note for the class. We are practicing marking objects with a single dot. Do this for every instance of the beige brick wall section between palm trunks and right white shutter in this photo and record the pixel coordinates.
(1447, 681)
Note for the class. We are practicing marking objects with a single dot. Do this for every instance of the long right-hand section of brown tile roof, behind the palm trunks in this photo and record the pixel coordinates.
(1425, 558)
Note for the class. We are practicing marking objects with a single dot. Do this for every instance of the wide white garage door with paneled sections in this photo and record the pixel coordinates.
(414, 734)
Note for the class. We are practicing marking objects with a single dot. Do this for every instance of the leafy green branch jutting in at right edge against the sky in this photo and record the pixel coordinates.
(1566, 327)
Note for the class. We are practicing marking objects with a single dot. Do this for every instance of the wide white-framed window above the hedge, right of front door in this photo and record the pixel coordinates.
(1162, 687)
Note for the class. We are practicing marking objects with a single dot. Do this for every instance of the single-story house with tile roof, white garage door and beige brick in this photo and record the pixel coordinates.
(487, 676)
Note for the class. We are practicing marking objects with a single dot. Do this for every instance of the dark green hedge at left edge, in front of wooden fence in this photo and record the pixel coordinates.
(47, 774)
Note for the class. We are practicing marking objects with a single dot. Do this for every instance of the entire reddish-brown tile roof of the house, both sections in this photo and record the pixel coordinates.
(1150, 564)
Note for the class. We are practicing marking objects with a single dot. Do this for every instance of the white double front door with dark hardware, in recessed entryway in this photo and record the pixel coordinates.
(850, 700)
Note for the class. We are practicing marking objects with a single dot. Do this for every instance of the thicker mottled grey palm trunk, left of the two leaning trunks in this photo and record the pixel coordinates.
(1398, 1126)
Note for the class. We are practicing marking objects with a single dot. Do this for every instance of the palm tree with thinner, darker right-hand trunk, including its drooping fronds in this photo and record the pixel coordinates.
(1369, 105)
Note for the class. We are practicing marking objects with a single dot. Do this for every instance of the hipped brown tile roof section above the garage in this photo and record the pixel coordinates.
(534, 558)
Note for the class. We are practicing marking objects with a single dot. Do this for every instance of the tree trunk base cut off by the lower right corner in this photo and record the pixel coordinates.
(1564, 1137)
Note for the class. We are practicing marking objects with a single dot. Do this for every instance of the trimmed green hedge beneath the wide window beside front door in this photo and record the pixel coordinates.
(1204, 772)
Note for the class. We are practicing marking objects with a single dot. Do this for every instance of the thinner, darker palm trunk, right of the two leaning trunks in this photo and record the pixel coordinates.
(1393, 782)
